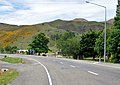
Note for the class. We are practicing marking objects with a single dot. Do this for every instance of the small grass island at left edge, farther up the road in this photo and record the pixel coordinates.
(12, 60)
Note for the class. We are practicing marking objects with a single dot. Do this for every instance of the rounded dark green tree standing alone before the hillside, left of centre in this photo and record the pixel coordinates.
(39, 43)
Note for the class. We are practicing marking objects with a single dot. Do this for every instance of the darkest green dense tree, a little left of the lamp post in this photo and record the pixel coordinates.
(87, 43)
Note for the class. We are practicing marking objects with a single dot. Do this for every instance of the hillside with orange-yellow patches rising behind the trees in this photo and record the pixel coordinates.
(21, 36)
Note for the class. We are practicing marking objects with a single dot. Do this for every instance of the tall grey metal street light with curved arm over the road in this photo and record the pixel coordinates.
(104, 28)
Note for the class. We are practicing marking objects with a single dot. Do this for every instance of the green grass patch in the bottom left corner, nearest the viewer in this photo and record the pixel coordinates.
(8, 77)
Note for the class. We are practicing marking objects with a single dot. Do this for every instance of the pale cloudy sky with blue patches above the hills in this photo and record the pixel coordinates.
(29, 12)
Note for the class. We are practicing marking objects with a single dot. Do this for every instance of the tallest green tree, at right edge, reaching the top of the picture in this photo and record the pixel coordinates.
(114, 38)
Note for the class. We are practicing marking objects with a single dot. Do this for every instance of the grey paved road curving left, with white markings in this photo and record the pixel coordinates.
(58, 71)
